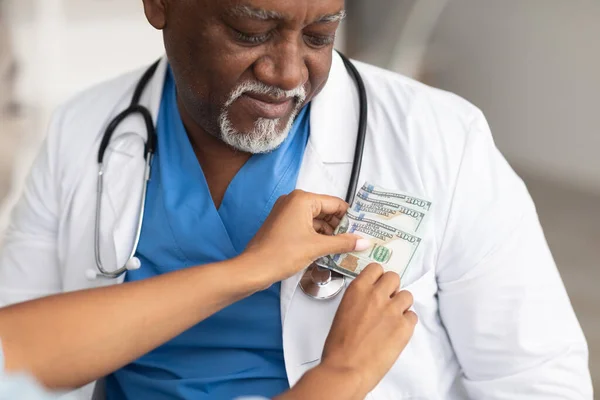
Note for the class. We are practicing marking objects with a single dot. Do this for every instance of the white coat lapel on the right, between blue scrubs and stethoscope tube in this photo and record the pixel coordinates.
(326, 169)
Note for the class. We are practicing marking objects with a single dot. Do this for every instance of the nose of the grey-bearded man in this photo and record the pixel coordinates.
(283, 66)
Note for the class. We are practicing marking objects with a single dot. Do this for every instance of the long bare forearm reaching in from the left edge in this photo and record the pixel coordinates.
(72, 339)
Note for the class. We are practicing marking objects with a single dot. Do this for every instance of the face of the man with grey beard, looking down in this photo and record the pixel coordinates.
(244, 68)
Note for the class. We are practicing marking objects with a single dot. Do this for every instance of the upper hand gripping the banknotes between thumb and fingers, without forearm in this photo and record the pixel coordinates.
(297, 232)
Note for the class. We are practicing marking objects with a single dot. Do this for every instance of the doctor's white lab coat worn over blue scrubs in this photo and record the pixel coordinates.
(495, 321)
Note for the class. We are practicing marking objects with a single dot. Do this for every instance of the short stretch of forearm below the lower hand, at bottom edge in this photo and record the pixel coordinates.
(326, 383)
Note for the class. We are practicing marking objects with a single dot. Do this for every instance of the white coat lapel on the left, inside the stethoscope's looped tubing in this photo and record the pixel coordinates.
(124, 177)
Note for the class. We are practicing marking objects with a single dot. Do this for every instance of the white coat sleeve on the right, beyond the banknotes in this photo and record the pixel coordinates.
(501, 298)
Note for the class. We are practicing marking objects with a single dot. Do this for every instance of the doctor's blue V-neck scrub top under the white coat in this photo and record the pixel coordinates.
(237, 351)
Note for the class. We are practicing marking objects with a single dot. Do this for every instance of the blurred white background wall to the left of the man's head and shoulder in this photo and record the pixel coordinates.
(62, 47)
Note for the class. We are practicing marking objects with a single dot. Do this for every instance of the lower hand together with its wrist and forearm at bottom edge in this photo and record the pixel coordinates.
(371, 328)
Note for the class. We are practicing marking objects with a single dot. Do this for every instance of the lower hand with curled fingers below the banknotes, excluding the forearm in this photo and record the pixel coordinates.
(371, 328)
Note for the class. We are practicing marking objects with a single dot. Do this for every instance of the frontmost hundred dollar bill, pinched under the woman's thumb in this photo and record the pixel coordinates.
(391, 247)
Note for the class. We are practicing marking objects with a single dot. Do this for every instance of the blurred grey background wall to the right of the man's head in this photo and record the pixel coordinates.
(531, 65)
